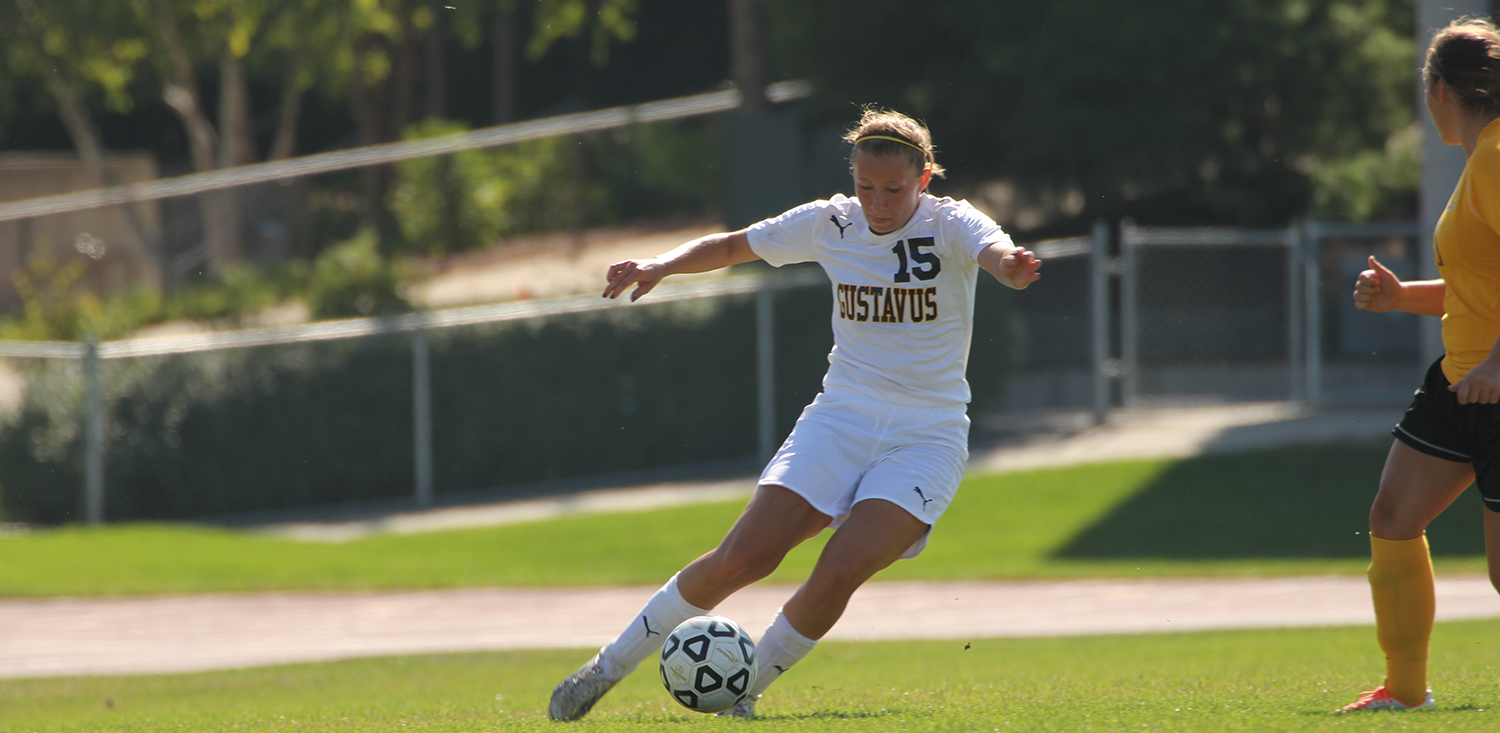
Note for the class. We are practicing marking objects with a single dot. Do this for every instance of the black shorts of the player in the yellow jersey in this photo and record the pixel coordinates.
(1439, 426)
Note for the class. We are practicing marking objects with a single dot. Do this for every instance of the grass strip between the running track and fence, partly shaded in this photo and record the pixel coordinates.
(1286, 512)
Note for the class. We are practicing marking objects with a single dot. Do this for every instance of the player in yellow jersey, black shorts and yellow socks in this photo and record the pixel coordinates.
(1451, 434)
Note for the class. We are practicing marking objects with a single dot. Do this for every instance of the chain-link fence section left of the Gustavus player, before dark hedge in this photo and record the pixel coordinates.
(421, 405)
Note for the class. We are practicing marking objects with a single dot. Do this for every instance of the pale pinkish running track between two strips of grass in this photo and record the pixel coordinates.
(68, 636)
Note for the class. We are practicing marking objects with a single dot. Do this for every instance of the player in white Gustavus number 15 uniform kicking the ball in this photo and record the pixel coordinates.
(880, 452)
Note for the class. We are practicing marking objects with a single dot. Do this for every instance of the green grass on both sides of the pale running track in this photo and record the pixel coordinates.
(1285, 512)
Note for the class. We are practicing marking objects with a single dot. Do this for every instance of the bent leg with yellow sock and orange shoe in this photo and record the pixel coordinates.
(1415, 488)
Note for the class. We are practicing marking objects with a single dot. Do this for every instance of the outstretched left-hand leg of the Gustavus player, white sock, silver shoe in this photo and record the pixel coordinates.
(773, 522)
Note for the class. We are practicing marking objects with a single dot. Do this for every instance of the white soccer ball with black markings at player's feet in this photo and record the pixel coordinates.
(709, 663)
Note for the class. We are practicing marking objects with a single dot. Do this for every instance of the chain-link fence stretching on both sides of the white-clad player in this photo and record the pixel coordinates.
(526, 393)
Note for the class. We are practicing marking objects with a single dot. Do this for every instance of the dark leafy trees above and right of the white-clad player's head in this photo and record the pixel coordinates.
(1177, 112)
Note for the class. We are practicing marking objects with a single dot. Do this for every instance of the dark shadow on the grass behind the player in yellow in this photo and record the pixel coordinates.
(1310, 501)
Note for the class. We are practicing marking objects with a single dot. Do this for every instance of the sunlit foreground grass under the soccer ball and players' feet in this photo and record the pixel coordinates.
(1238, 681)
